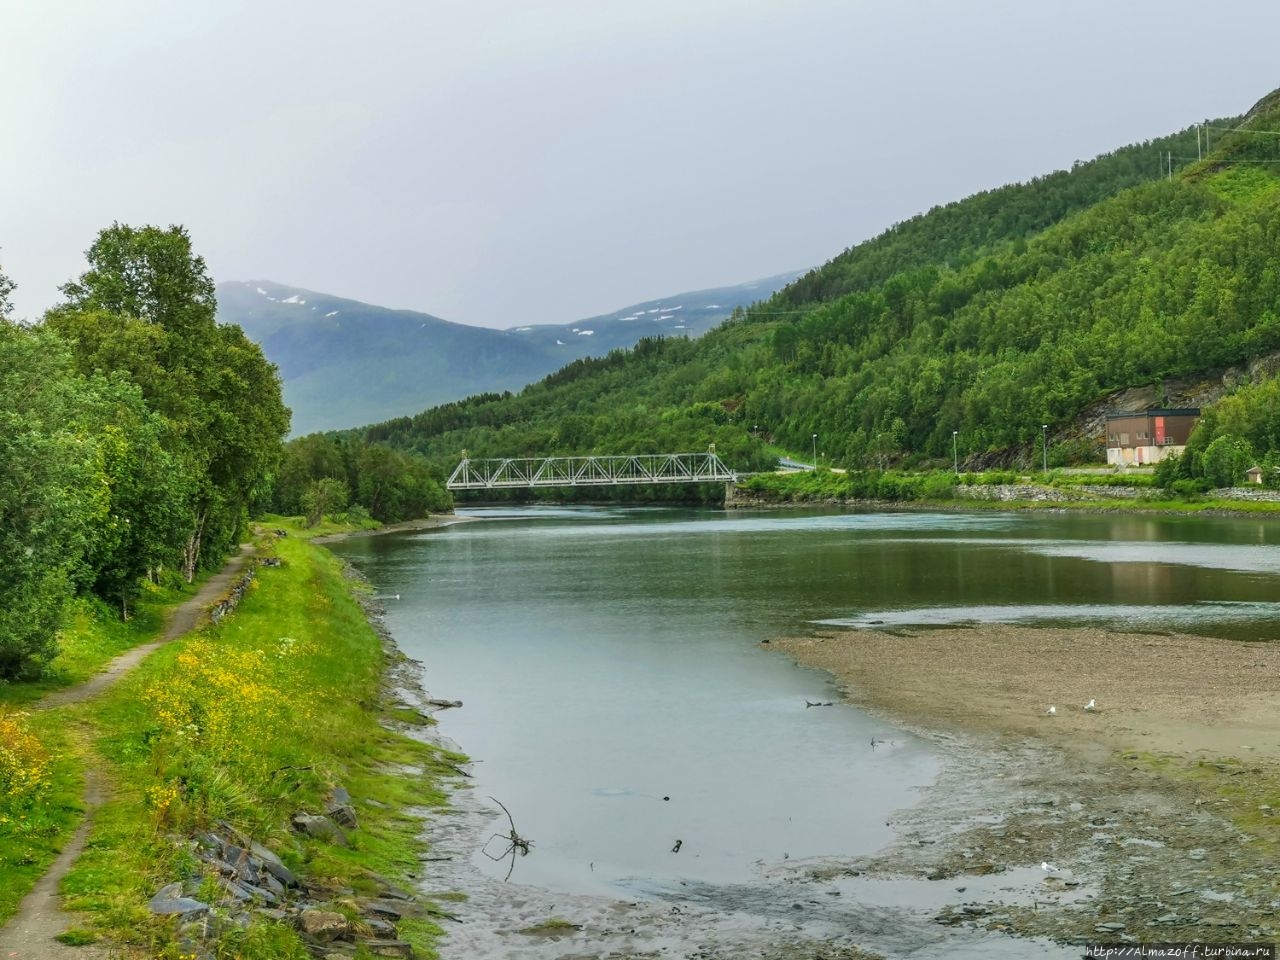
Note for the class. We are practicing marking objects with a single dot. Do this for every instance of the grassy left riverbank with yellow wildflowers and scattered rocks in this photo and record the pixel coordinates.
(240, 726)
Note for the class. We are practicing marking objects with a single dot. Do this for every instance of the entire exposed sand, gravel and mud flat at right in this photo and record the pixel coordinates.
(1158, 803)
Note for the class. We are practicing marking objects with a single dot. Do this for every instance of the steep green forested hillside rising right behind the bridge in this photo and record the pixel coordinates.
(976, 323)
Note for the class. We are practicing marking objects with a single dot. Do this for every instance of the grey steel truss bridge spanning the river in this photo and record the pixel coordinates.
(591, 472)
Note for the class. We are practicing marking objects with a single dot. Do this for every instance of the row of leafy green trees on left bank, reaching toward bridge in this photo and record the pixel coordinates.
(138, 436)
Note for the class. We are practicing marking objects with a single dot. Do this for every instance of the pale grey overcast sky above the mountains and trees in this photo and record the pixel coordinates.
(504, 163)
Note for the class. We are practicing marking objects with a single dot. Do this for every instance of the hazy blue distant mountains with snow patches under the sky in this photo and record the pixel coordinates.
(346, 364)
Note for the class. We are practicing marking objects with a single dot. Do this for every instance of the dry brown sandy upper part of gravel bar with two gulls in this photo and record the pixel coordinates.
(1177, 694)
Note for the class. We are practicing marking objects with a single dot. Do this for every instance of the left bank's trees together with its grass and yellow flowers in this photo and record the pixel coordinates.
(136, 437)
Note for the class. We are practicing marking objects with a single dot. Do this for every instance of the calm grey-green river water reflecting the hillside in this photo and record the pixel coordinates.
(610, 660)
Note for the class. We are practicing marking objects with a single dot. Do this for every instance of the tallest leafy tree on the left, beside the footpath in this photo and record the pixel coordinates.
(147, 305)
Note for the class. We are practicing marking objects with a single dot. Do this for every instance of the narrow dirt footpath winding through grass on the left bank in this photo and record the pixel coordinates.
(30, 935)
